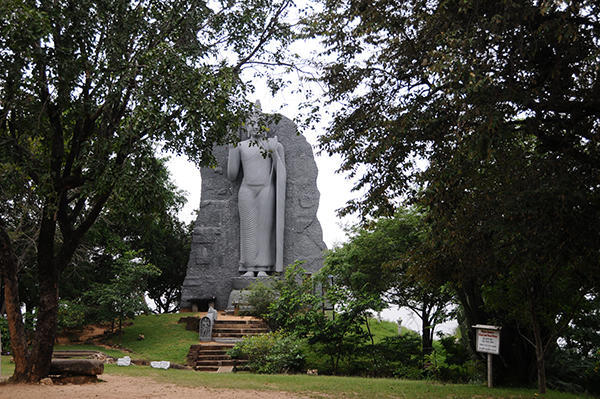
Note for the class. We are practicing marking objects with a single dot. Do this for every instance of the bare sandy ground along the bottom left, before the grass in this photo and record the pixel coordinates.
(120, 387)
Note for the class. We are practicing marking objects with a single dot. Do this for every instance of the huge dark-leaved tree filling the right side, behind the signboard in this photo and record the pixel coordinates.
(501, 100)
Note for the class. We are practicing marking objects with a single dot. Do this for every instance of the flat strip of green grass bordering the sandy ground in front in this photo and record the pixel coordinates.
(331, 387)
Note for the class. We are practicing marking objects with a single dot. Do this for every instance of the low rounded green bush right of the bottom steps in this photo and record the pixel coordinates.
(270, 353)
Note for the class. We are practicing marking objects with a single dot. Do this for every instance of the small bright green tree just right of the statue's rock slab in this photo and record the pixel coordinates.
(376, 262)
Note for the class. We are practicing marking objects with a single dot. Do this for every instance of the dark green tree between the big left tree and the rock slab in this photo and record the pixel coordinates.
(140, 216)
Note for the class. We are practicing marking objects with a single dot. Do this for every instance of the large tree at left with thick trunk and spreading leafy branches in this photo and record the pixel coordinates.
(87, 88)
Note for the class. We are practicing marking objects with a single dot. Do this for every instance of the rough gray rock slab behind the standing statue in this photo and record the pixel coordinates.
(215, 252)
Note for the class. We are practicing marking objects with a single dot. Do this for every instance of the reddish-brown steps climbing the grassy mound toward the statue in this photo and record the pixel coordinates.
(212, 356)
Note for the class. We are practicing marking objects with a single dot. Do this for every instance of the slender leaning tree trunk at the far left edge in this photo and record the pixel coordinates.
(16, 328)
